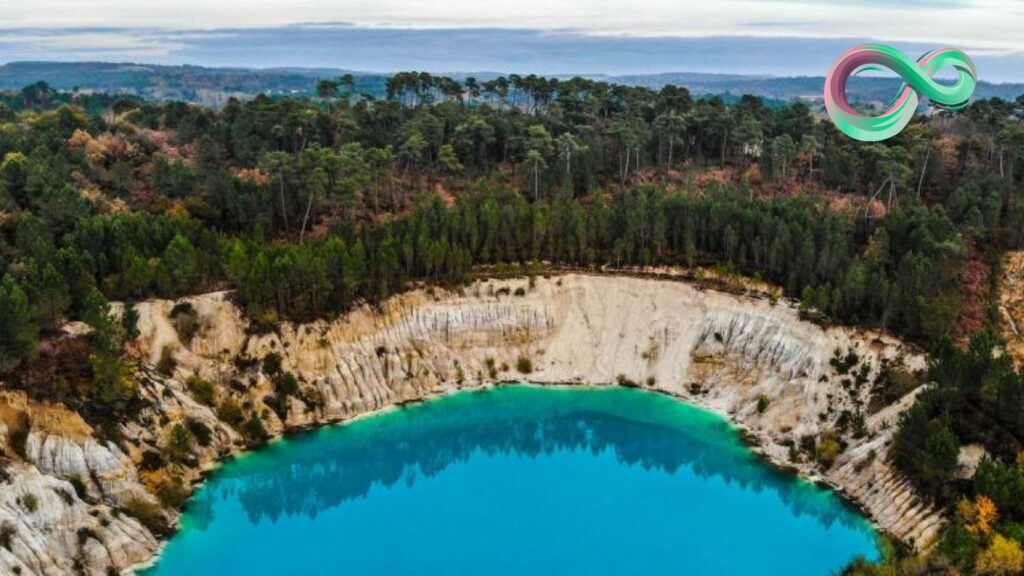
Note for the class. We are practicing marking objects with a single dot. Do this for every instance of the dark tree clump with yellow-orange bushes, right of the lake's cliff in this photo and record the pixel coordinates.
(975, 397)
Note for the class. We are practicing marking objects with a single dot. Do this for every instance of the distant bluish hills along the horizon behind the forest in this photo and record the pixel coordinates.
(214, 87)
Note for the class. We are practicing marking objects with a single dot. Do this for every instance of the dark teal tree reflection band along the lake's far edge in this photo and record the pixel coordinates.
(318, 471)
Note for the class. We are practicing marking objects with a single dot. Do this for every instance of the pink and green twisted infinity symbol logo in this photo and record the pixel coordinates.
(917, 83)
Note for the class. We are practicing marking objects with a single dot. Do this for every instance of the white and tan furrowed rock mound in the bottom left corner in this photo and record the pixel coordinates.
(57, 506)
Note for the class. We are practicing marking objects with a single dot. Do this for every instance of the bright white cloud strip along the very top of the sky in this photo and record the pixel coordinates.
(993, 23)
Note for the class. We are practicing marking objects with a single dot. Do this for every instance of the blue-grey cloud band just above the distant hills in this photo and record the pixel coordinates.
(778, 46)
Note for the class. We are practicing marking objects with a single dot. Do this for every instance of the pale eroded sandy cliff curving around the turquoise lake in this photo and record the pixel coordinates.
(755, 362)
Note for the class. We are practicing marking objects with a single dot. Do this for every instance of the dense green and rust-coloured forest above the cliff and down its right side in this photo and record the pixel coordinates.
(307, 207)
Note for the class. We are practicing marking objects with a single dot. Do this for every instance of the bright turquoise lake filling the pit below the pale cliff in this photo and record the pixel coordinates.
(516, 481)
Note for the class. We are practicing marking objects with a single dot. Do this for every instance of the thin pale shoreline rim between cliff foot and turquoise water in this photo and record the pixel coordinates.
(745, 436)
